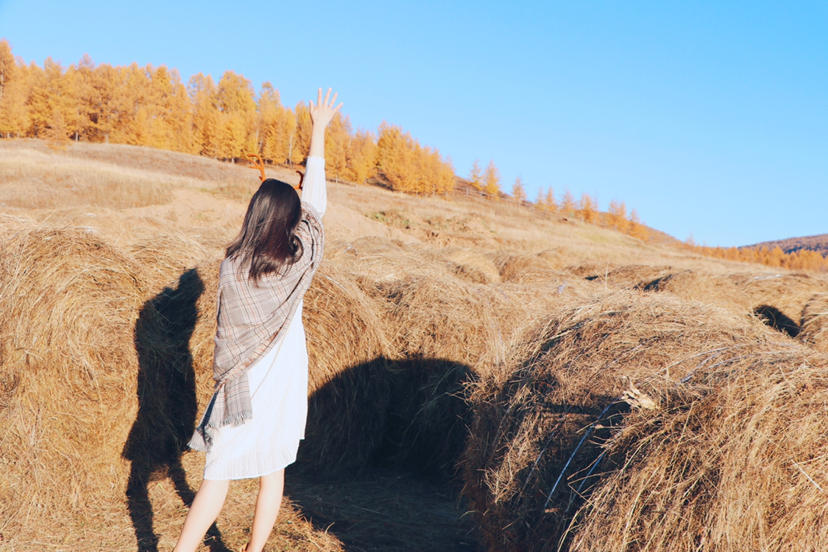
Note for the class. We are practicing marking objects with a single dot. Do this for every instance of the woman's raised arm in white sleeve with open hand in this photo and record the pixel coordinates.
(314, 189)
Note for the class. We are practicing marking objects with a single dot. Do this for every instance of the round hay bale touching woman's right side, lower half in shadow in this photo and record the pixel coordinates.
(348, 377)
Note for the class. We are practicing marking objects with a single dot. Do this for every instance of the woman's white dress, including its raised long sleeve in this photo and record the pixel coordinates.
(278, 389)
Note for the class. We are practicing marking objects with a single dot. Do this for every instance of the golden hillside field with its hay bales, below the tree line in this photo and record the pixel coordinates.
(482, 376)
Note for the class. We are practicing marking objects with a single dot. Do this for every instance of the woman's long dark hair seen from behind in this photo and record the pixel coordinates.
(267, 242)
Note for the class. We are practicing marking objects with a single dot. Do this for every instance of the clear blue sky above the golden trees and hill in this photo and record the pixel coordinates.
(709, 118)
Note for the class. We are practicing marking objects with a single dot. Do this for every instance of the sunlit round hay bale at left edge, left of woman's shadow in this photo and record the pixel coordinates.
(68, 302)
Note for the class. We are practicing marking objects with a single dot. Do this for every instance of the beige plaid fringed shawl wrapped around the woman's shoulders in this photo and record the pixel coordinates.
(252, 319)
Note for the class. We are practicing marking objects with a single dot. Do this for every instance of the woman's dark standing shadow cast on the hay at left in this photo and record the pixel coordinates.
(166, 404)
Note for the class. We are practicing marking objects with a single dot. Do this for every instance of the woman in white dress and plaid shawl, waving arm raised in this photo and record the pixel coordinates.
(254, 421)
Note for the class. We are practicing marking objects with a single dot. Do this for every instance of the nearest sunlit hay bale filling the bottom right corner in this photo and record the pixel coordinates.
(739, 464)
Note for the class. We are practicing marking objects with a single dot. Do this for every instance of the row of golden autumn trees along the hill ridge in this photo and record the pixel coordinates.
(151, 106)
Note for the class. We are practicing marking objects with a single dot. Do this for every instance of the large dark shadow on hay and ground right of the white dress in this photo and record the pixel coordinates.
(396, 491)
